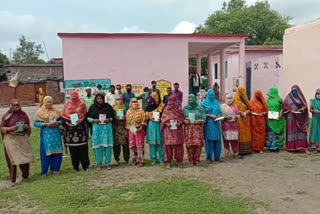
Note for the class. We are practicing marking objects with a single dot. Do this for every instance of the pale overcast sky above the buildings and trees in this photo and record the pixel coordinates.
(41, 20)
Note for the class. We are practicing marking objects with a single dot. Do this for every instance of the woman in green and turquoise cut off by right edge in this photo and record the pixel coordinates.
(315, 125)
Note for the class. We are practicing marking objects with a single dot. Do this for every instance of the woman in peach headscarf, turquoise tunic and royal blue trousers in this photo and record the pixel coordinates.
(51, 148)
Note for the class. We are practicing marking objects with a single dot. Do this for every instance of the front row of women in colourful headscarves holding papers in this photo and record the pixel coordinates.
(243, 125)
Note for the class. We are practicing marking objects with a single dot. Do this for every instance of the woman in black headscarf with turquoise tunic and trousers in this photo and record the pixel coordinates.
(102, 131)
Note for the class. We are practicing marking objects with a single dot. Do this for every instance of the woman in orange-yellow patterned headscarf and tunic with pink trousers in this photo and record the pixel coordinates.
(135, 123)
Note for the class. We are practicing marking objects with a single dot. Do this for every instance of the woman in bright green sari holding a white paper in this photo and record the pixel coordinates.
(276, 126)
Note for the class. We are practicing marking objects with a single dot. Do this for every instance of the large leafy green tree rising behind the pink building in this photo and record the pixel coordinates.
(263, 25)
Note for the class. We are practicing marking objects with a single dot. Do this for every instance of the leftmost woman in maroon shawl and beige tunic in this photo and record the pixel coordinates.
(17, 147)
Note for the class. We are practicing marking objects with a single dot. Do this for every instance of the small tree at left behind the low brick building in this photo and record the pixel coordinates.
(28, 52)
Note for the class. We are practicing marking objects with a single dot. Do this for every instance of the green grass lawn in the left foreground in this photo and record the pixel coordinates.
(73, 193)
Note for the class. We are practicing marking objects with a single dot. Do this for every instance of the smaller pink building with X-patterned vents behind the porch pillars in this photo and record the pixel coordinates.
(263, 67)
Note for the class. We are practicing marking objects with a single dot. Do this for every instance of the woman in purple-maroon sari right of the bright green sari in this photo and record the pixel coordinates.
(297, 116)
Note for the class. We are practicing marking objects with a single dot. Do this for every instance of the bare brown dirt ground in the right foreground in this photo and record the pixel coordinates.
(278, 182)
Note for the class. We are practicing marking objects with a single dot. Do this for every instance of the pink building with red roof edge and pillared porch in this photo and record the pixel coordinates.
(141, 58)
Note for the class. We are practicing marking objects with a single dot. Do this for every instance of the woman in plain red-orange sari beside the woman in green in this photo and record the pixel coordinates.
(259, 110)
